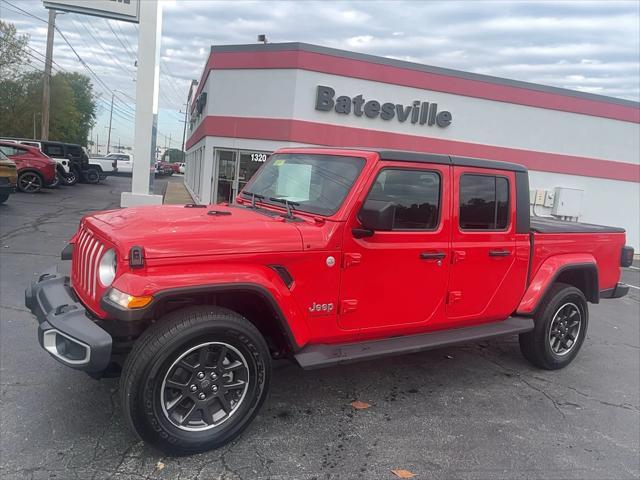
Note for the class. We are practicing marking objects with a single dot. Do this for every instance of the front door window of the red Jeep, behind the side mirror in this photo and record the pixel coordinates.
(415, 194)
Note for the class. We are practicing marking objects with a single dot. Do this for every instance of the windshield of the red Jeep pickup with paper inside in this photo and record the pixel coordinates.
(312, 183)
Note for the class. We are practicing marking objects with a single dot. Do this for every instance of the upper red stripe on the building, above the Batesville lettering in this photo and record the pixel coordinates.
(347, 67)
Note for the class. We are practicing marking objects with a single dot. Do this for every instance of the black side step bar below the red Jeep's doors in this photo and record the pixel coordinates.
(316, 356)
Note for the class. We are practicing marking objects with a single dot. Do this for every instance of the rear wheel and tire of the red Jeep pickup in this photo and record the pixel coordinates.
(556, 339)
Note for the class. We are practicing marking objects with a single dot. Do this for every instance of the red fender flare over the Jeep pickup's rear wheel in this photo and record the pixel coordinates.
(547, 274)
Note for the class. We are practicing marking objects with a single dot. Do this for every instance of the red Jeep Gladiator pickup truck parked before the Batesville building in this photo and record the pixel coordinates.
(327, 256)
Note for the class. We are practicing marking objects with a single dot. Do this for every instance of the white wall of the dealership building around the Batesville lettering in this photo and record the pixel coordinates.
(291, 94)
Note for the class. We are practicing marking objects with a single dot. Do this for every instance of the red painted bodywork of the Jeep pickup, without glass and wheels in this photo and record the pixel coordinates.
(344, 289)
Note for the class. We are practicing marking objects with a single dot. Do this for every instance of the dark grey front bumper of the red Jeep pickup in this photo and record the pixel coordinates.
(65, 330)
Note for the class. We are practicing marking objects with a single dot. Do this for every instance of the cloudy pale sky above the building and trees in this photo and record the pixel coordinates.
(588, 46)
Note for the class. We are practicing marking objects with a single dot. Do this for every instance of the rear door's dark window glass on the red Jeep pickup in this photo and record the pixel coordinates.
(484, 202)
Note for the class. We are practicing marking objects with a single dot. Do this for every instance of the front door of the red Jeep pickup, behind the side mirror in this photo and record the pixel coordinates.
(396, 281)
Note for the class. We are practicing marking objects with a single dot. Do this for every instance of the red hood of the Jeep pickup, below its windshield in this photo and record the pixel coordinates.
(177, 231)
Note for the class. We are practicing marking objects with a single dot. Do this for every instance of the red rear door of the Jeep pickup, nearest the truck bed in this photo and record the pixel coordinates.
(483, 278)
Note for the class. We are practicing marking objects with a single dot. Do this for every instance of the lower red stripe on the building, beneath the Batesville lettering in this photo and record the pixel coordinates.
(338, 136)
